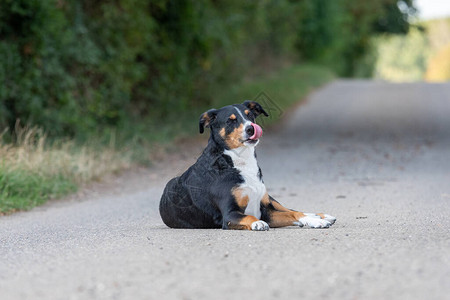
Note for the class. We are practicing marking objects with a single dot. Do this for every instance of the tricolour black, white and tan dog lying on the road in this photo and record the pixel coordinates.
(225, 187)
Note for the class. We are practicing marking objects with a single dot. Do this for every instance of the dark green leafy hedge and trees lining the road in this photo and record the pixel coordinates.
(81, 68)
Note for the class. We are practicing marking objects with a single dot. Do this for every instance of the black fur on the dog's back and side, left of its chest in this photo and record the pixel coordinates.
(197, 198)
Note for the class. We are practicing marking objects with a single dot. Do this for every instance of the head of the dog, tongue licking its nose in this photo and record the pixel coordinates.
(234, 125)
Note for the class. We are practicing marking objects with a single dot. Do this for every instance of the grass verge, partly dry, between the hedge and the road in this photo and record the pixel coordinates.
(34, 170)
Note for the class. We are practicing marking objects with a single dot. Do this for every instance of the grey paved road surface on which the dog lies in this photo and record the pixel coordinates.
(373, 154)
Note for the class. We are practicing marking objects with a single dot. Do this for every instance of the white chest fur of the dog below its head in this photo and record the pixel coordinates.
(245, 161)
